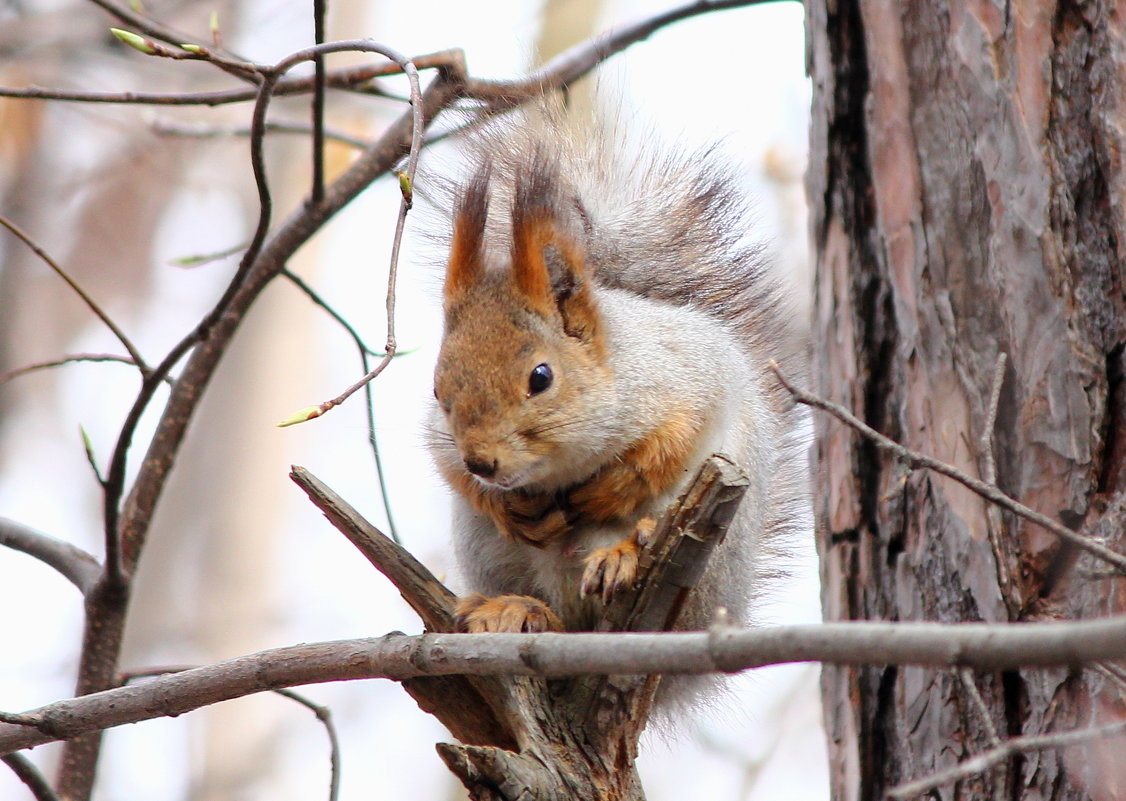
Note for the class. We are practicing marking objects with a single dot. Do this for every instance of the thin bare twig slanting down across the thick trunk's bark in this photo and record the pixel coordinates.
(916, 461)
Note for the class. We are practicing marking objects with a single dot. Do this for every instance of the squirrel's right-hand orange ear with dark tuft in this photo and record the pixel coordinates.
(549, 266)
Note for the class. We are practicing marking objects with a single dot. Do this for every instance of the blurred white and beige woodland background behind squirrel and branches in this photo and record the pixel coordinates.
(238, 559)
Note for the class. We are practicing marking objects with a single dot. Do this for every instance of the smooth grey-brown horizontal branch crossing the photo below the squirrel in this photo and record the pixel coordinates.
(399, 657)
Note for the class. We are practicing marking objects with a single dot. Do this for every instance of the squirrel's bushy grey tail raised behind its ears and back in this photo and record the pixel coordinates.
(664, 224)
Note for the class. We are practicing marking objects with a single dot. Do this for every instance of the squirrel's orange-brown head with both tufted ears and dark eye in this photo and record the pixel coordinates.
(522, 360)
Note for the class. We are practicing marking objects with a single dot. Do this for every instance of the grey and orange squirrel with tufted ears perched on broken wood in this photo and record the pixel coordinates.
(607, 327)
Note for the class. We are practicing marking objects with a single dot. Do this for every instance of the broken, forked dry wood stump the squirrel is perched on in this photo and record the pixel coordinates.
(528, 737)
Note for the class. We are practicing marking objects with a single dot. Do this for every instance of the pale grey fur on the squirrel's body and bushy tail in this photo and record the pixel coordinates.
(693, 318)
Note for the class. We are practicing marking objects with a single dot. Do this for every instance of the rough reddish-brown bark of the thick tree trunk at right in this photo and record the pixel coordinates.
(968, 189)
